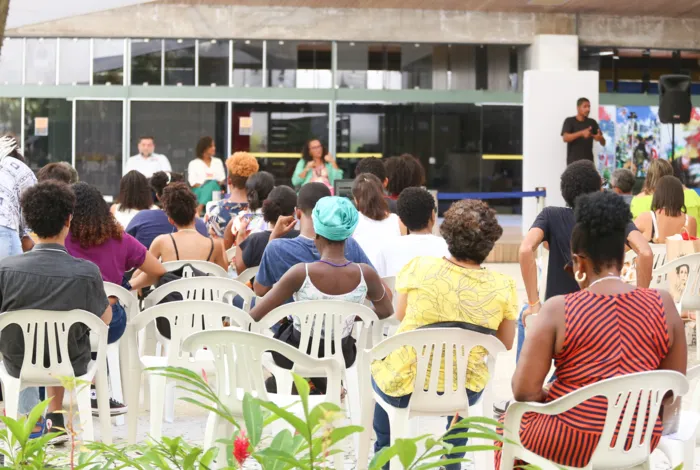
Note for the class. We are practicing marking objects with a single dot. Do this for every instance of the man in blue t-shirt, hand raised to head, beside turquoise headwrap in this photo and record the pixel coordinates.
(282, 254)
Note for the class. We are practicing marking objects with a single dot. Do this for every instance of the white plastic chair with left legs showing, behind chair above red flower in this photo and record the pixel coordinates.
(185, 317)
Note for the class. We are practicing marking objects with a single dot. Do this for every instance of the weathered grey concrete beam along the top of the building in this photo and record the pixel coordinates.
(357, 24)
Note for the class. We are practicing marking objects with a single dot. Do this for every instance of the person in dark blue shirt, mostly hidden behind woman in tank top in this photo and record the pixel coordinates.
(147, 225)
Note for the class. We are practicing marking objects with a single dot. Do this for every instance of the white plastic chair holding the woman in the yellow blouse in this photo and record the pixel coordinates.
(451, 344)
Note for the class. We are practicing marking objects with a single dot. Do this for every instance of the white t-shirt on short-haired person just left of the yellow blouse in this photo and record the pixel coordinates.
(396, 254)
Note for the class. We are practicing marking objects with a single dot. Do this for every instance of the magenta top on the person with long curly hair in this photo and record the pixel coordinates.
(113, 257)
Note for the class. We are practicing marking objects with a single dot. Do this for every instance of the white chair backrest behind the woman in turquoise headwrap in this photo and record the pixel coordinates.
(327, 316)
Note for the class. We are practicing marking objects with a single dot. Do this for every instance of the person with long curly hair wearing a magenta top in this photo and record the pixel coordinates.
(95, 235)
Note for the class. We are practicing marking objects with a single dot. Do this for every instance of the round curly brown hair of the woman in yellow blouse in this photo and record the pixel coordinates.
(471, 230)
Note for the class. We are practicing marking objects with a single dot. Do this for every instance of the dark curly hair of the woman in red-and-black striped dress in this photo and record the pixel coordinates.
(600, 232)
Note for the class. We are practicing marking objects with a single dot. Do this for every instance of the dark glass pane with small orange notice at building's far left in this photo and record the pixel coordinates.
(47, 131)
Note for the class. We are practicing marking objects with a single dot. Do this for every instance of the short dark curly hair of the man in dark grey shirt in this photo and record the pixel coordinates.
(46, 207)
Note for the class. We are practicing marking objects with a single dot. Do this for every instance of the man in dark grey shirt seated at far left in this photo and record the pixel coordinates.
(48, 278)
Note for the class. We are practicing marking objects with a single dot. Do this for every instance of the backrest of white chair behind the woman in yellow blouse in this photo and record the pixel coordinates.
(434, 347)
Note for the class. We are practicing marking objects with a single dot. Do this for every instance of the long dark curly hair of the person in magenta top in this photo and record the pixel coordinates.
(93, 223)
